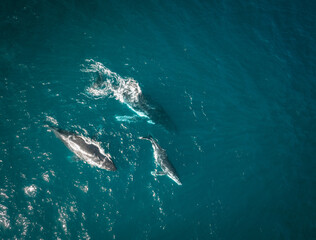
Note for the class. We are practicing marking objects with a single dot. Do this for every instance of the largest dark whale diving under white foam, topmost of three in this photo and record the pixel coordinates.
(128, 92)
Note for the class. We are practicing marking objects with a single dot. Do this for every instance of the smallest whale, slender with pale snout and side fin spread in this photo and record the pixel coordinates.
(161, 160)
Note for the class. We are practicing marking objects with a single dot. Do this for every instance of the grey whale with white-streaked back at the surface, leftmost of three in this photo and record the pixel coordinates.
(86, 149)
